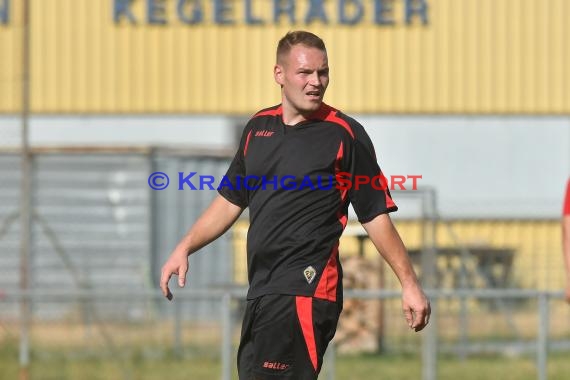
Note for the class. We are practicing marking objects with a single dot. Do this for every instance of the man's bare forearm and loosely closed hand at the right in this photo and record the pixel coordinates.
(388, 242)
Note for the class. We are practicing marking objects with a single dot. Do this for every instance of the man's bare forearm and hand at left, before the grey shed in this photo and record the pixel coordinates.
(216, 220)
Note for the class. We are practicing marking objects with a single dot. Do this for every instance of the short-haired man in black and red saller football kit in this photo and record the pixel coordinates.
(295, 294)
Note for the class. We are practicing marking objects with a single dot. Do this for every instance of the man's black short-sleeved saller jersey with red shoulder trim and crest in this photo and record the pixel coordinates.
(288, 176)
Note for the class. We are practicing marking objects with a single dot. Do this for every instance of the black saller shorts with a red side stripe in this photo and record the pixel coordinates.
(285, 337)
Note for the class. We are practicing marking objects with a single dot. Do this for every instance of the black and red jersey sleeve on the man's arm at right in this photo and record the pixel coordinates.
(369, 198)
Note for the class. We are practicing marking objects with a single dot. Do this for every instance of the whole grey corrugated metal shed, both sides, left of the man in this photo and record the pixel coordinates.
(98, 225)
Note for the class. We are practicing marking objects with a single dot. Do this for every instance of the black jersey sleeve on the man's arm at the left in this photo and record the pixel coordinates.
(231, 186)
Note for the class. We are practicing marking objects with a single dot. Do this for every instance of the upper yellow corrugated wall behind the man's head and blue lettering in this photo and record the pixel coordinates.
(484, 56)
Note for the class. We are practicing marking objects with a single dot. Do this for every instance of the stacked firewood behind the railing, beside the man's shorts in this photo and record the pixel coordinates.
(360, 325)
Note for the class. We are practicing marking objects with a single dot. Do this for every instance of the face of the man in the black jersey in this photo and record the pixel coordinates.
(304, 77)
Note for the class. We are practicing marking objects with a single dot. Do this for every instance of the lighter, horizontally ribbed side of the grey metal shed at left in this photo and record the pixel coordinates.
(90, 227)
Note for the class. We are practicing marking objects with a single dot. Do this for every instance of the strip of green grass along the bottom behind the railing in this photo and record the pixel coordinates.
(60, 365)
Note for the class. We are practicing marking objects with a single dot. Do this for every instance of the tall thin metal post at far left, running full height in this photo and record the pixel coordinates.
(25, 200)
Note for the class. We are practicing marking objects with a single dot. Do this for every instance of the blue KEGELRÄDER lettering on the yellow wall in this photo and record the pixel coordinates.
(224, 12)
